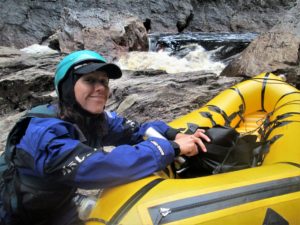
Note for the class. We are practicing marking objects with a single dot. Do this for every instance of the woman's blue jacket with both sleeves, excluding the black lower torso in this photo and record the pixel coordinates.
(55, 151)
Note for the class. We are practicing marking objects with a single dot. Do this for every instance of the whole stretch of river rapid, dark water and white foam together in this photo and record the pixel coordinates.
(187, 52)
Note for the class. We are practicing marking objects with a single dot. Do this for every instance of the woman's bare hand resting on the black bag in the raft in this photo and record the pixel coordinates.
(189, 143)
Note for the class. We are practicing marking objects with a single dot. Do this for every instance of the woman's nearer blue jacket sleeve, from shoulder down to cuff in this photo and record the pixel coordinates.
(61, 157)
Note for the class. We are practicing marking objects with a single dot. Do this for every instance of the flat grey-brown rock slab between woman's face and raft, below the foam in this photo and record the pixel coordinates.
(165, 96)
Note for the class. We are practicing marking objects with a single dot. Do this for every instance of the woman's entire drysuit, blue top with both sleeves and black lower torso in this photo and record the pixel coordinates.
(54, 156)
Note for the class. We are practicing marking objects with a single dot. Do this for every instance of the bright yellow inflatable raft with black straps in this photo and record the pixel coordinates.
(269, 194)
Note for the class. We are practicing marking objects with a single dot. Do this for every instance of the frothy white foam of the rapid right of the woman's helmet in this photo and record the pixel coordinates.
(196, 60)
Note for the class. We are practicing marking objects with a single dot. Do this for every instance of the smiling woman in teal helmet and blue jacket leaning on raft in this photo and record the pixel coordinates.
(61, 148)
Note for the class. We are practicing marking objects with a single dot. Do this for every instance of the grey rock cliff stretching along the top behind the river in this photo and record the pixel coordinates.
(27, 22)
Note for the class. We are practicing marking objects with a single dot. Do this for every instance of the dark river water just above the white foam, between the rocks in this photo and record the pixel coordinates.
(223, 45)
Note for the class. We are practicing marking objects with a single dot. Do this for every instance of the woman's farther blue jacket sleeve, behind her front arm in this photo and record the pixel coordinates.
(124, 131)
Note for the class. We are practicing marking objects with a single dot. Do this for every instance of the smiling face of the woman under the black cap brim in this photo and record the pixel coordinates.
(92, 91)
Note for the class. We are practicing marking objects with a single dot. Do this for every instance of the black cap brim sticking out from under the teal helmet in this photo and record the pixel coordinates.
(112, 70)
